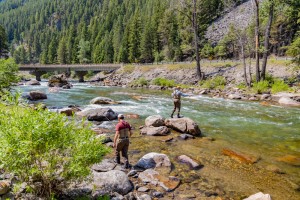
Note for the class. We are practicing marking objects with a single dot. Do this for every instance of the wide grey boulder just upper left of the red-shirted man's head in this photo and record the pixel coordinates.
(98, 114)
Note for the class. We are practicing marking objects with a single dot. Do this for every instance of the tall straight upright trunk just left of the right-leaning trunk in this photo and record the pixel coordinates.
(257, 41)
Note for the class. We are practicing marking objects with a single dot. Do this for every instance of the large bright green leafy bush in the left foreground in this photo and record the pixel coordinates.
(46, 148)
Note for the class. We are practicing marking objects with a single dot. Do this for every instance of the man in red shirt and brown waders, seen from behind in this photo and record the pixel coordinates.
(121, 140)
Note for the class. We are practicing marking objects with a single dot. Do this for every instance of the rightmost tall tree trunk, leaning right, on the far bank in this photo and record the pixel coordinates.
(266, 43)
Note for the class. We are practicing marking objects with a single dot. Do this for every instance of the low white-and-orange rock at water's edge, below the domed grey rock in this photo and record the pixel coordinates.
(151, 176)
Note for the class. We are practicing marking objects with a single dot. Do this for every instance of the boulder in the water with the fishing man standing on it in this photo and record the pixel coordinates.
(183, 125)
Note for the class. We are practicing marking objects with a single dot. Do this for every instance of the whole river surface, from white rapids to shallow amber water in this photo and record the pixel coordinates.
(268, 132)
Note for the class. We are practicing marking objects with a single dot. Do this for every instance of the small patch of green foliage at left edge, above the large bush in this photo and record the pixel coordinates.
(8, 74)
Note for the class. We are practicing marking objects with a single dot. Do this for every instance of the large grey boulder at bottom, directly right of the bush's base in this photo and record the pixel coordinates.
(112, 181)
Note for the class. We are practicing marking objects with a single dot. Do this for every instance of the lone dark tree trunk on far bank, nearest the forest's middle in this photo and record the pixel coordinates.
(195, 26)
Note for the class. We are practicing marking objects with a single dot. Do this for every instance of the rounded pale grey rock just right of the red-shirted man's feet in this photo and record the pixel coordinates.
(154, 160)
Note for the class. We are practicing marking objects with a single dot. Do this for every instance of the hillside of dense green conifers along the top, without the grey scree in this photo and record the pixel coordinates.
(105, 31)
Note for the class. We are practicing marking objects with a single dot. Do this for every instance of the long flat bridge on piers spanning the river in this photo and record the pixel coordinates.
(80, 69)
